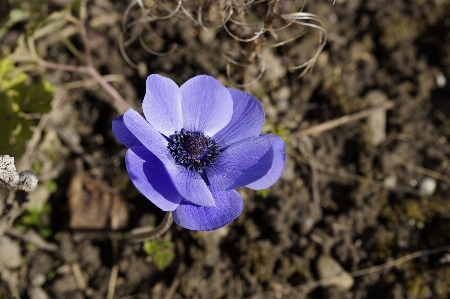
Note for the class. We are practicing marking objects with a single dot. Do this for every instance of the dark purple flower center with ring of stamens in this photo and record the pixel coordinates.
(193, 150)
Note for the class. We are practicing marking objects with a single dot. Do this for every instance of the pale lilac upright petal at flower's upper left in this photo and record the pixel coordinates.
(162, 105)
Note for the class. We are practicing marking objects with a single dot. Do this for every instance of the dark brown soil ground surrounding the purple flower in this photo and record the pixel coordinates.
(356, 193)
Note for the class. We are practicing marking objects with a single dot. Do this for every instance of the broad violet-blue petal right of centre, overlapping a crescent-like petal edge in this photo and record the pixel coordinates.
(242, 163)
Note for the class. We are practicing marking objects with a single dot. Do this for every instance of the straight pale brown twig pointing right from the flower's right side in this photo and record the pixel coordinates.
(314, 130)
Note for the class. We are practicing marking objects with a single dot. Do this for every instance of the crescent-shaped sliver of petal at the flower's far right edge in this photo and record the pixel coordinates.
(279, 160)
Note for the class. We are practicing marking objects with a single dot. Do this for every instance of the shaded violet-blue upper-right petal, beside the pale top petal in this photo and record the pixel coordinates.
(247, 120)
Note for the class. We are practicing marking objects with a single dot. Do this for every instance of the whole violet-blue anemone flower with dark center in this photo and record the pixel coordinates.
(195, 146)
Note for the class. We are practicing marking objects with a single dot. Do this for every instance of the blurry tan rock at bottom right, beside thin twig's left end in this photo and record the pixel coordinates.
(327, 267)
